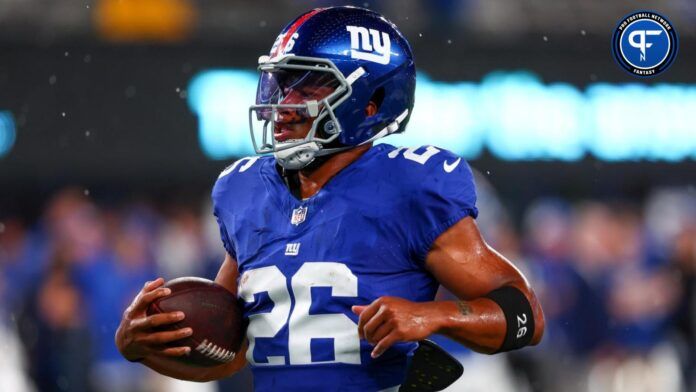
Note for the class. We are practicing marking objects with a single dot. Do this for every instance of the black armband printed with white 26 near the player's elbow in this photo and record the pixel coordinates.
(518, 316)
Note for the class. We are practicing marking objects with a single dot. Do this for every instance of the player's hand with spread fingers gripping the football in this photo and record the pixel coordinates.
(135, 337)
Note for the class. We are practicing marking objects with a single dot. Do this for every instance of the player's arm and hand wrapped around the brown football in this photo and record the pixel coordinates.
(136, 340)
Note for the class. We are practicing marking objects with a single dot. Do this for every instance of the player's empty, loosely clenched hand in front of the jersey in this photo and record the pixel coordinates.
(389, 320)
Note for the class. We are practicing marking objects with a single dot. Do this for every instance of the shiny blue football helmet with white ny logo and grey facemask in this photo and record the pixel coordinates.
(328, 64)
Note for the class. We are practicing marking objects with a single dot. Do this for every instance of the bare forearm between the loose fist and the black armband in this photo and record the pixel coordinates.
(478, 324)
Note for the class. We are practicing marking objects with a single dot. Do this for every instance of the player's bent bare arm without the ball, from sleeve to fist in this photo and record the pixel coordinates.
(464, 264)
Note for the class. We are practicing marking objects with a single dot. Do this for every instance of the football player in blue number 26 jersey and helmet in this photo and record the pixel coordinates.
(336, 246)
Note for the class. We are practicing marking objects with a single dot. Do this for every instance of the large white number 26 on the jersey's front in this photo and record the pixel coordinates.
(302, 327)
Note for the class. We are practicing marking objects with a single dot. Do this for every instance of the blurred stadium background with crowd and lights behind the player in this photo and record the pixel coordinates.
(117, 115)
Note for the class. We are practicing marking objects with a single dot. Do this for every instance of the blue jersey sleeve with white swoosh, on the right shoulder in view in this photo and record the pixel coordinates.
(444, 195)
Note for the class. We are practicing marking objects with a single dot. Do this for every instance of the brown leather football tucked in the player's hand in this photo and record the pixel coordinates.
(212, 312)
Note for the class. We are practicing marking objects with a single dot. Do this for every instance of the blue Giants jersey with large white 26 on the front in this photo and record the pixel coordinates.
(303, 264)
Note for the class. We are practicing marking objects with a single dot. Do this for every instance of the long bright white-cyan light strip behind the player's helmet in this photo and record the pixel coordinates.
(513, 114)
